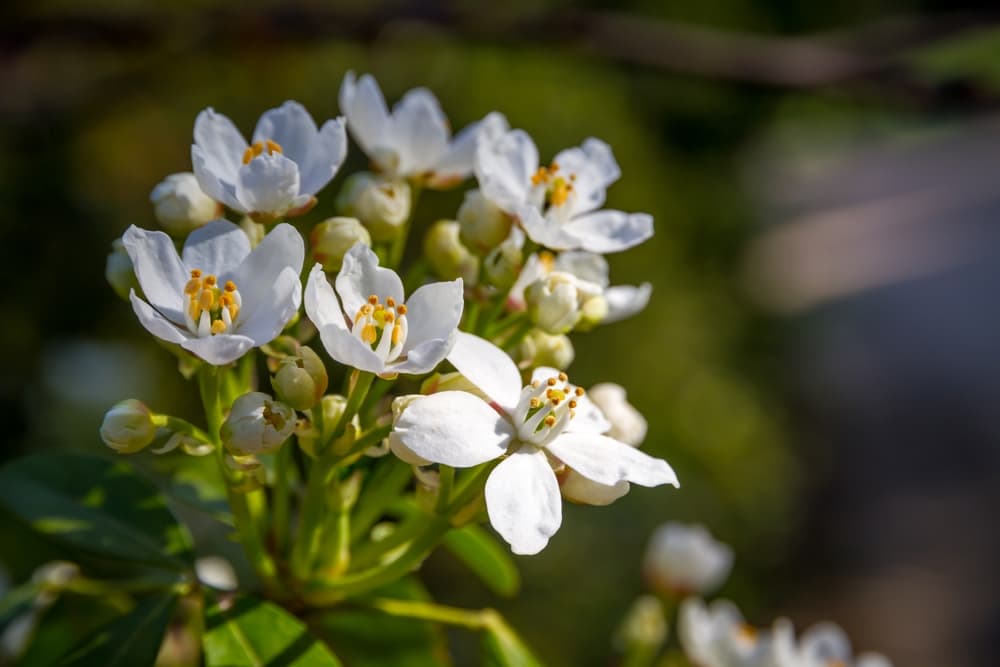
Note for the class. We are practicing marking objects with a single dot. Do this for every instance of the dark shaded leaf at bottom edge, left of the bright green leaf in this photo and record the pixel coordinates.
(132, 639)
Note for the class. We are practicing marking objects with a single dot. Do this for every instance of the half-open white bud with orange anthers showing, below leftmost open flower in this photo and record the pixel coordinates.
(257, 424)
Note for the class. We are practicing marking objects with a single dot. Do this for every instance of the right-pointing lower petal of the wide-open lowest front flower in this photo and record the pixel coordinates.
(607, 461)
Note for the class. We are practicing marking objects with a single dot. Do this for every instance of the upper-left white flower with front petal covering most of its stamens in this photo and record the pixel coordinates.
(288, 161)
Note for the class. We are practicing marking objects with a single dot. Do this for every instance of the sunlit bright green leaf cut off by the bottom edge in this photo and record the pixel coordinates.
(247, 631)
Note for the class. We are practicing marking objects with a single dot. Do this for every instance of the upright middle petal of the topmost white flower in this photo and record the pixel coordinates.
(420, 132)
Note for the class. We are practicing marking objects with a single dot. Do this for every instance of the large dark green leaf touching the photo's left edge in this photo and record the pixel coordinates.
(94, 505)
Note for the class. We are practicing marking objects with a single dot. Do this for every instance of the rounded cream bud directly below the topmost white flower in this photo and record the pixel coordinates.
(382, 205)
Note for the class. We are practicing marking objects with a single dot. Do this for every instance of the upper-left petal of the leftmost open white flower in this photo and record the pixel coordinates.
(159, 270)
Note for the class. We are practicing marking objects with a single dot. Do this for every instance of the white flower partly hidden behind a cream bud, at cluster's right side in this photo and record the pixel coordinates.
(590, 273)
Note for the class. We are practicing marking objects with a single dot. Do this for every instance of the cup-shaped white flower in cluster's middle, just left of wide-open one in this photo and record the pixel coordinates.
(372, 328)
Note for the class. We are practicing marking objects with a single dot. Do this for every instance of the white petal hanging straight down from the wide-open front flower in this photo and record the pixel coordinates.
(523, 501)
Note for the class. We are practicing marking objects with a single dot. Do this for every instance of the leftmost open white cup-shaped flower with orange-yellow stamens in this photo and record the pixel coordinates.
(217, 299)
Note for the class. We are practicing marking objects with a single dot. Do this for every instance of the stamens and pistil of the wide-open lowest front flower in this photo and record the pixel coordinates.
(545, 408)
